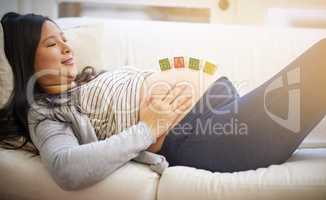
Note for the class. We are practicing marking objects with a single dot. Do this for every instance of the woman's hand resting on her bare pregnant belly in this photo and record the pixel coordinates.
(160, 113)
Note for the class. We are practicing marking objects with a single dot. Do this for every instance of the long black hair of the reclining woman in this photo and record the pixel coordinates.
(22, 34)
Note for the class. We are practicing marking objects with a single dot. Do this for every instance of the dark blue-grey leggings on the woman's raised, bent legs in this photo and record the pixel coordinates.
(228, 133)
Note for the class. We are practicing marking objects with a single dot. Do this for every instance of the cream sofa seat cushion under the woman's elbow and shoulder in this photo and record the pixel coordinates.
(25, 177)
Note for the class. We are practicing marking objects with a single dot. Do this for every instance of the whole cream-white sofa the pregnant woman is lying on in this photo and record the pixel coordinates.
(247, 55)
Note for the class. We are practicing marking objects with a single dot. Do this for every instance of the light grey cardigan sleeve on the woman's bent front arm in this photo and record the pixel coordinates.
(75, 166)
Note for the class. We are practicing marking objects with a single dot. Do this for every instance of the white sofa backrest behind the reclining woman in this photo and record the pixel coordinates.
(247, 55)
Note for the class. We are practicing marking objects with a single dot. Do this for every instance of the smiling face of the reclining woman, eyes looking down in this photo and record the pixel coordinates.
(54, 61)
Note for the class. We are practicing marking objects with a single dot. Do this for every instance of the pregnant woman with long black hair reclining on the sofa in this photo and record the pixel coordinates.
(87, 125)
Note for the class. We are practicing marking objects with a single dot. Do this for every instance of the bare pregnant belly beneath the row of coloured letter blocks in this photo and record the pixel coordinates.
(160, 82)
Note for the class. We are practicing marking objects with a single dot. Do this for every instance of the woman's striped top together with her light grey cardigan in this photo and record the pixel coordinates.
(86, 133)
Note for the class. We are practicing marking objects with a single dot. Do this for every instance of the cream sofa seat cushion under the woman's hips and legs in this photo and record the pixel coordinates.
(303, 176)
